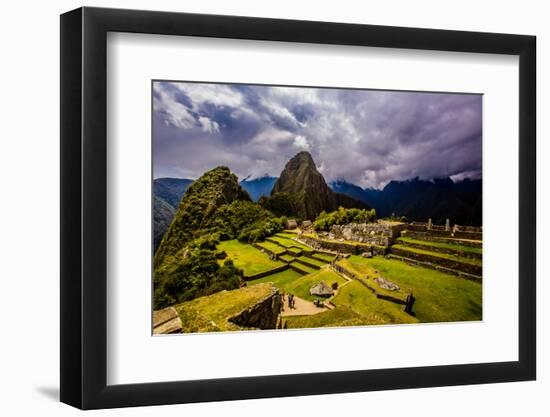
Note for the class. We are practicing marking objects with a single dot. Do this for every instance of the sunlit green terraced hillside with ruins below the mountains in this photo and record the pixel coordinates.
(429, 272)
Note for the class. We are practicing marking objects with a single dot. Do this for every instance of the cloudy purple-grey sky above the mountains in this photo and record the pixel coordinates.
(365, 137)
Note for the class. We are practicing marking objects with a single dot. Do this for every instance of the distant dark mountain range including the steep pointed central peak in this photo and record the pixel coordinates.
(303, 186)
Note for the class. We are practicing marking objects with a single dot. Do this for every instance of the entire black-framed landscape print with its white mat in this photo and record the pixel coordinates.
(259, 207)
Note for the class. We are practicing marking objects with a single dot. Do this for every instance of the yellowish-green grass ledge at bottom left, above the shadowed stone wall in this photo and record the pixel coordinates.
(210, 313)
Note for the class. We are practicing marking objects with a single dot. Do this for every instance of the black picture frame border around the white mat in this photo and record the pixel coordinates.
(84, 207)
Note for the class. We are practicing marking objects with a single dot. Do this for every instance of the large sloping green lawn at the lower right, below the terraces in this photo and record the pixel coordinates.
(439, 297)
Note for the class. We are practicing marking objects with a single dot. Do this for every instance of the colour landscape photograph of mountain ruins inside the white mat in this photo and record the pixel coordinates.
(288, 207)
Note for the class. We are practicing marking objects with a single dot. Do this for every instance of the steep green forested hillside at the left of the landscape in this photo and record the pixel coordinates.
(213, 208)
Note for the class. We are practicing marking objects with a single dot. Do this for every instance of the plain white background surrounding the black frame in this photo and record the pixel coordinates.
(29, 219)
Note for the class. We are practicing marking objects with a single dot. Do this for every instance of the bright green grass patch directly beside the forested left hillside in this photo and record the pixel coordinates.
(246, 257)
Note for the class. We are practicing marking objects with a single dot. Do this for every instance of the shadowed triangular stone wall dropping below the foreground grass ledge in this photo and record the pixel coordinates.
(263, 315)
